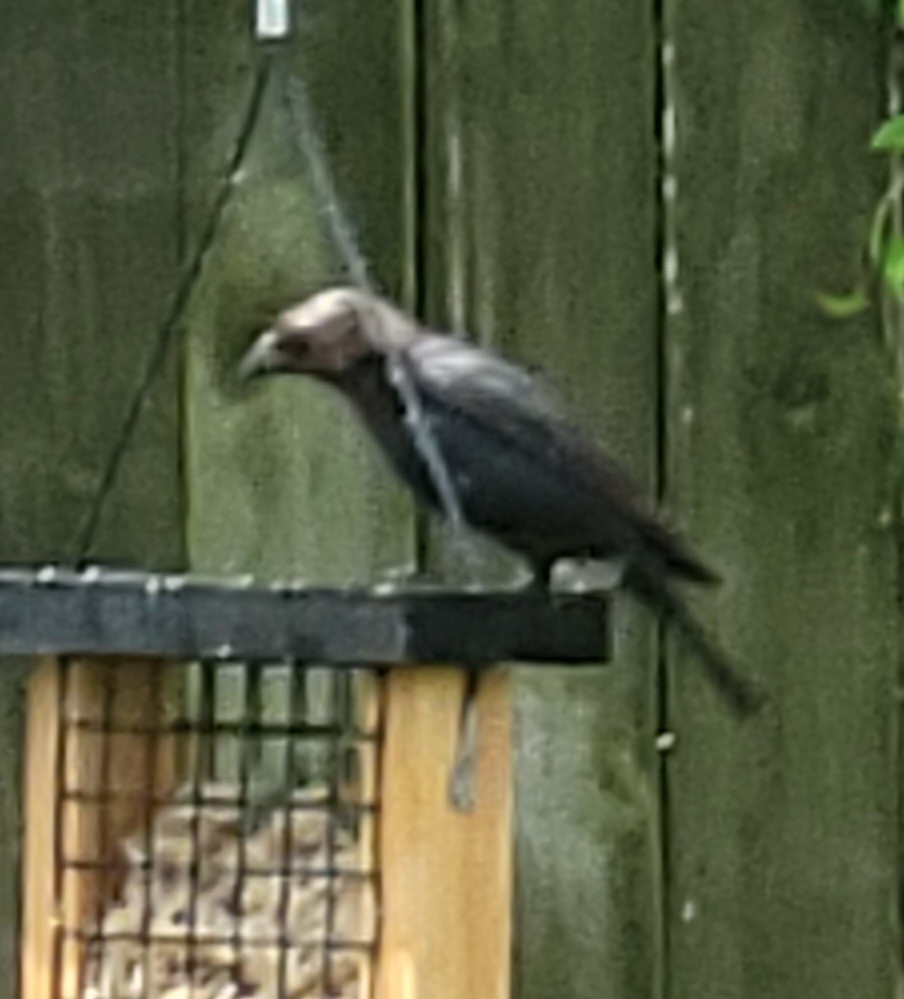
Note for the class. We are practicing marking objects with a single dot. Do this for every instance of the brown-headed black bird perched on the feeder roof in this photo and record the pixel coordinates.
(474, 435)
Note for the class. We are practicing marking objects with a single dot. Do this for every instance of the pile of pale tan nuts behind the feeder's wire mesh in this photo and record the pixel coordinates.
(241, 909)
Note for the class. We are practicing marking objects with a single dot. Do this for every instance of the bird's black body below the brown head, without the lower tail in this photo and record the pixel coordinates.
(520, 472)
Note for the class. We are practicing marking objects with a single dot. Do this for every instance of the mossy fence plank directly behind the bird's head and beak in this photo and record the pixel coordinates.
(281, 480)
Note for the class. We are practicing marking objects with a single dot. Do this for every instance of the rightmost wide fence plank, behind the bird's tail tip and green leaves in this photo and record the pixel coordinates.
(781, 845)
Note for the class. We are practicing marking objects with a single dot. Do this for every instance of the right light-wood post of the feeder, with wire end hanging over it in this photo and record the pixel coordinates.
(446, 875)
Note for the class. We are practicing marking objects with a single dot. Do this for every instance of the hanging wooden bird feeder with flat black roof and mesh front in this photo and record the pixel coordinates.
(235, 790)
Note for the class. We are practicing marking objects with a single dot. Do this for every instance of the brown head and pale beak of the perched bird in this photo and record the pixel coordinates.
(327, 334)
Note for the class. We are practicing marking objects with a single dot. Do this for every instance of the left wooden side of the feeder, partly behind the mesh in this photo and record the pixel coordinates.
(89, 783)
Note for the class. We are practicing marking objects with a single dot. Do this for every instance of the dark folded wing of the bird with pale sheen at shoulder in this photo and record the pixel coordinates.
(506, 435)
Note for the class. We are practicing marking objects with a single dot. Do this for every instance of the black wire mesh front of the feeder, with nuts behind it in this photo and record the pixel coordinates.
(213, 833)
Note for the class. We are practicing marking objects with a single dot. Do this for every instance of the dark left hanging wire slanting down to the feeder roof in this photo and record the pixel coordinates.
(171, 327)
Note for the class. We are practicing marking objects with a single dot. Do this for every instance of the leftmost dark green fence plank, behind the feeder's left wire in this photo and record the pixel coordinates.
(88, 206)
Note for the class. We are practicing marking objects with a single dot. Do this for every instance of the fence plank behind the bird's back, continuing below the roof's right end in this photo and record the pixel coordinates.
(540, 191)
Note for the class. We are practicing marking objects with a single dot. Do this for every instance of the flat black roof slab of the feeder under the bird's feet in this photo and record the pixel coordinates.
(54, 611)
